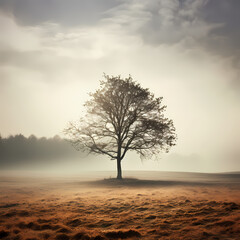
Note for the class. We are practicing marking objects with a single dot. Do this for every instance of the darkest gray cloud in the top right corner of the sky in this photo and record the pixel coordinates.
(224, 40)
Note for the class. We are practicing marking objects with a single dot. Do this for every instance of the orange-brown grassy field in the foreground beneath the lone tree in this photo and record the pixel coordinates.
(159, 206)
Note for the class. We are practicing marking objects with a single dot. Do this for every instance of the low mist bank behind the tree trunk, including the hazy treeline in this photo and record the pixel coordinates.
(57, 155)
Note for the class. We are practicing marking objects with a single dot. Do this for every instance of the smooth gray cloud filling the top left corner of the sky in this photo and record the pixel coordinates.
(66, 13)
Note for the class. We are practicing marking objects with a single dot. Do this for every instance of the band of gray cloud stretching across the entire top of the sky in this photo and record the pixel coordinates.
(211, 24)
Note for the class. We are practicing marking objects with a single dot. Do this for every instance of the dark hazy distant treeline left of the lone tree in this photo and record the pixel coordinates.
(19, 149)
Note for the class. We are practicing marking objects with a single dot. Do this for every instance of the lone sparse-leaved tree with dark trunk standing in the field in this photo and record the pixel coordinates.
(122, 116)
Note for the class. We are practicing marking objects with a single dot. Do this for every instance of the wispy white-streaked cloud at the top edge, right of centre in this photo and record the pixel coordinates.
(161, 21)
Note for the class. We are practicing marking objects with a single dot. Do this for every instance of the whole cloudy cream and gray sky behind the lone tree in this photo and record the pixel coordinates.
(54, 52)
